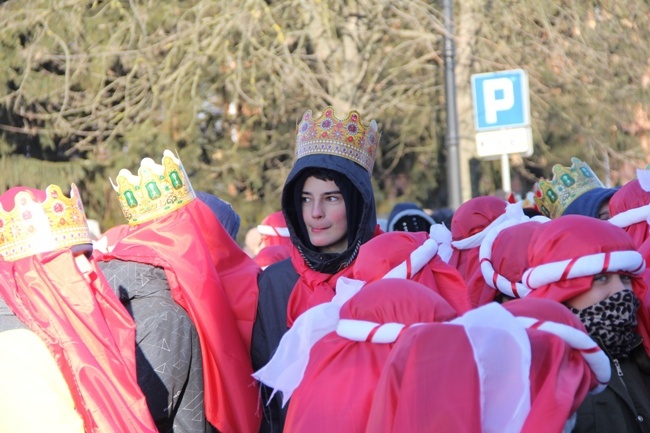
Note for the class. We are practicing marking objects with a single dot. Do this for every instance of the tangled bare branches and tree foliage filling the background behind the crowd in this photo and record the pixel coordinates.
(93, 86)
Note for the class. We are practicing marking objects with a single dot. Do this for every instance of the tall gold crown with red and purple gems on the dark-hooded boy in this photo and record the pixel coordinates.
(347, 138)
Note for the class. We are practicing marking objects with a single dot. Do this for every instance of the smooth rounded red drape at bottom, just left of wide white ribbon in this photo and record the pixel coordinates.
(430, 383)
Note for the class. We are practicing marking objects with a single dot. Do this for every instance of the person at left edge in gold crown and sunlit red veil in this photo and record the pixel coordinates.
(66, 364)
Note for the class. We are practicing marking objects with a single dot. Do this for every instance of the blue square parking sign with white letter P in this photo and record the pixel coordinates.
(500, 100)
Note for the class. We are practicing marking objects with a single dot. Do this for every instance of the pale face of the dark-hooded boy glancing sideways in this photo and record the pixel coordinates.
(324, 213)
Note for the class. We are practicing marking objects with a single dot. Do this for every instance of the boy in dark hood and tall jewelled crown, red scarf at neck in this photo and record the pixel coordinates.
(329, 208)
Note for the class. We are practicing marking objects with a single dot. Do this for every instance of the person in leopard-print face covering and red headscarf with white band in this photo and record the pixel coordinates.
(599, 278)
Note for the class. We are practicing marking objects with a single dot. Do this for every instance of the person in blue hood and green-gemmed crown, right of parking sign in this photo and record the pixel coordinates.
(574, 190)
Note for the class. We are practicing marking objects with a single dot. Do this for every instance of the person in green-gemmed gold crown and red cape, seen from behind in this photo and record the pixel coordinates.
(192, 292)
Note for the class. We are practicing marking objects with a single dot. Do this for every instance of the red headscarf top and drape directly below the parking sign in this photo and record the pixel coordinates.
(470, 218)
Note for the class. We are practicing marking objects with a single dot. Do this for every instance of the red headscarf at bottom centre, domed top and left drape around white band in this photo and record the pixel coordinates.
(346, 371)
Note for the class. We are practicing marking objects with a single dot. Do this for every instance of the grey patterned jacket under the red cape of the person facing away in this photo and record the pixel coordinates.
(168, 353)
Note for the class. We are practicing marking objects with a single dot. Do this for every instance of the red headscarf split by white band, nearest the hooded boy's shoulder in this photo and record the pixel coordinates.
(383, 253)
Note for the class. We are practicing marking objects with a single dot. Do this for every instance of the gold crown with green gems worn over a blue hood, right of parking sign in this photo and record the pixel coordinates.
(568, 183)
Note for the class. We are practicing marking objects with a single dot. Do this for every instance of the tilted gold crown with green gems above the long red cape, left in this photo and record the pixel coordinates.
(156, 191)
